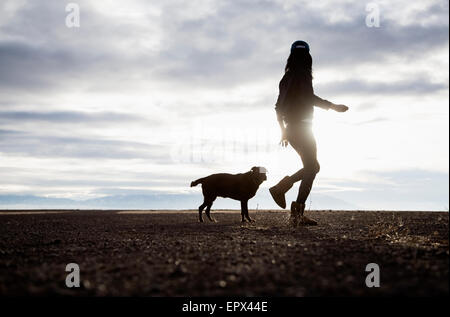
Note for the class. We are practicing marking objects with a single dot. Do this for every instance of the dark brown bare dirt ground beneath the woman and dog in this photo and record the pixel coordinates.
(168, 253)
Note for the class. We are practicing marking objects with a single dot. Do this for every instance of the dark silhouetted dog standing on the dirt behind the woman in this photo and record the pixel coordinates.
(240, 187)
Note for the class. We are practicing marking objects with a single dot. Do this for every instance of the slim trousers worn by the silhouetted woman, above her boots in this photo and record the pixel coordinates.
(301, 138)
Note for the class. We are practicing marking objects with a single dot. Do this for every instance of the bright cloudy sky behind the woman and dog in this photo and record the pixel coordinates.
(146, 96)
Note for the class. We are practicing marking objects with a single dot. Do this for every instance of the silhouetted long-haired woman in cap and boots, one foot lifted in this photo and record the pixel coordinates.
(295, 108)
